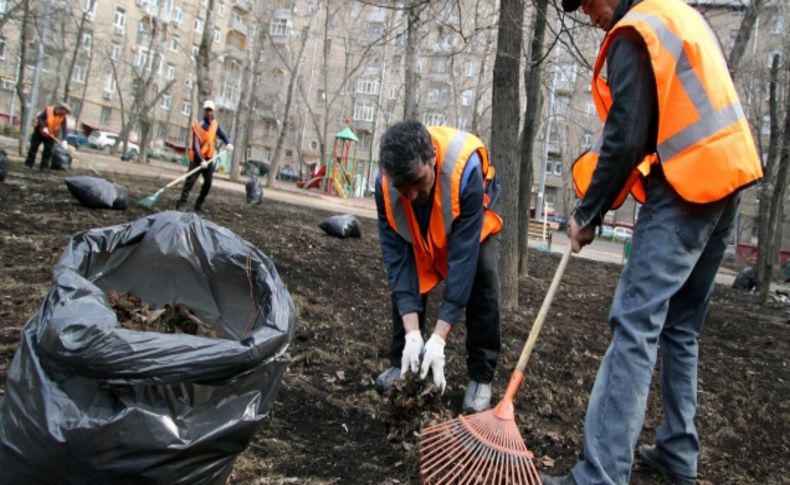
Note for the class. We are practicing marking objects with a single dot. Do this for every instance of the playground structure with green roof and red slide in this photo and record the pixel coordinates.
(342, 174)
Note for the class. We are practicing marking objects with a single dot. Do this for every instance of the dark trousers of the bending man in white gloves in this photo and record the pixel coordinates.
(482, 317)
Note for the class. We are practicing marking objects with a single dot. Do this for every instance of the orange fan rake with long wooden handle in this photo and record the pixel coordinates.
(487, 447)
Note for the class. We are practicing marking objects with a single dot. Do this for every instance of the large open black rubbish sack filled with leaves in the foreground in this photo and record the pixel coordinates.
(89, 402)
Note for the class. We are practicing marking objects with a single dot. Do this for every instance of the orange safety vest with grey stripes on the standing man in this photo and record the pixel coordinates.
(704, 144)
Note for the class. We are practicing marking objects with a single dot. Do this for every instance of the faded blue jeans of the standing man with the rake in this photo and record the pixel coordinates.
(659, 306)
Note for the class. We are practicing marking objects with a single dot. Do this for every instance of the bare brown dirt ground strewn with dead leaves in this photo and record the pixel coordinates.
(328, 425)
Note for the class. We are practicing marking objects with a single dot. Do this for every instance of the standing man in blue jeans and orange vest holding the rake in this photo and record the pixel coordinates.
(676, 137)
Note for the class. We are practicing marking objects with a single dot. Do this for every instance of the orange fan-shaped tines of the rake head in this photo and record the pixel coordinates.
(481, 448)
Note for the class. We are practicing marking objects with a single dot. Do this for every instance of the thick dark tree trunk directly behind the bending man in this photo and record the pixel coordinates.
(504, 138)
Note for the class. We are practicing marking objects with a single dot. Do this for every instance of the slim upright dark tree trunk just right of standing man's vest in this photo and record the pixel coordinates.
(767, 188)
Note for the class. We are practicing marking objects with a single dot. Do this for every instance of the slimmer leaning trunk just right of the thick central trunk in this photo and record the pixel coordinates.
(534, 107)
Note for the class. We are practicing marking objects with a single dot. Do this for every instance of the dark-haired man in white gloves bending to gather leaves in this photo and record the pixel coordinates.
(435, 196)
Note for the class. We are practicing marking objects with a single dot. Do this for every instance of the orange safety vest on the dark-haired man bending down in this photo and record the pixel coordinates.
(453, 149)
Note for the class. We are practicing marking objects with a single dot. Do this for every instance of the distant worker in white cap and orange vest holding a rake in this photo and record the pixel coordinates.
(201, 150)
